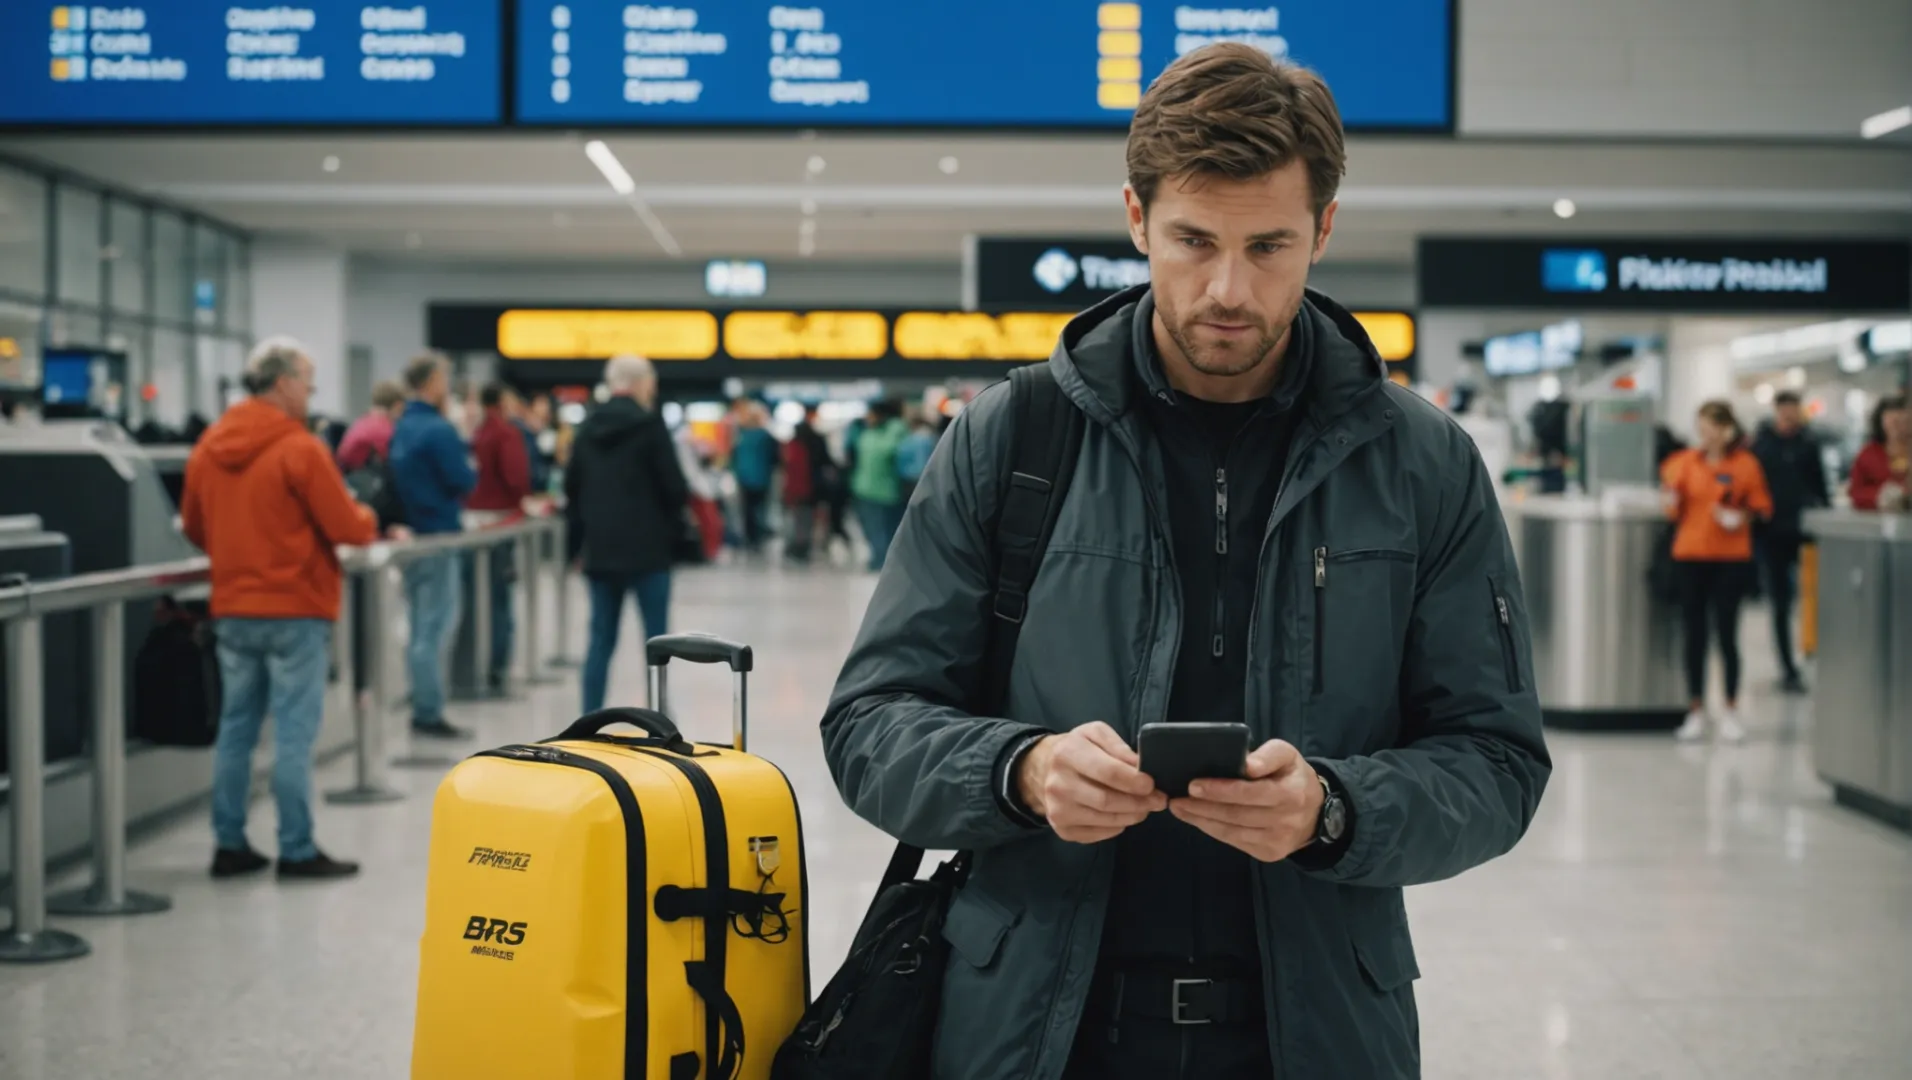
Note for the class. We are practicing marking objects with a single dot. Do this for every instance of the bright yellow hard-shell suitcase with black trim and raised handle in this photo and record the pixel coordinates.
(609, 907)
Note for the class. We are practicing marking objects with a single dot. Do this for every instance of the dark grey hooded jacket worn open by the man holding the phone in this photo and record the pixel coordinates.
(1401, 660)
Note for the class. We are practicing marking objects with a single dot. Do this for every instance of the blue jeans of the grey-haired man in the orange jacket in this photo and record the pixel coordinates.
(271, 666)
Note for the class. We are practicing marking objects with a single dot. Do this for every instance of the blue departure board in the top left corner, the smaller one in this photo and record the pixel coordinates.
(236, 62)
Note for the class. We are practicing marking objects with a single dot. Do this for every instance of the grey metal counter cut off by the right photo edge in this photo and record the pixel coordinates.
(1863, 693)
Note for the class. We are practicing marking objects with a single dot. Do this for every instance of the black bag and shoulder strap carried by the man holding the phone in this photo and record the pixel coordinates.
(879, 1016)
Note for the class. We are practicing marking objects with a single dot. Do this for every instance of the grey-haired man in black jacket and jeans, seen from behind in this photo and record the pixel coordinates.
(624, 494)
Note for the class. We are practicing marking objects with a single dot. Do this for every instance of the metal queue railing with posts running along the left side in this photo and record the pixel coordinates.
(538, 544)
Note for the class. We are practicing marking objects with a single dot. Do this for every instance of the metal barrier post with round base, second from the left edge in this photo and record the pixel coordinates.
(110, 896)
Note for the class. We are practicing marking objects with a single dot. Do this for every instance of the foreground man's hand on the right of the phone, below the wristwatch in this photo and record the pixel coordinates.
(1271, 815)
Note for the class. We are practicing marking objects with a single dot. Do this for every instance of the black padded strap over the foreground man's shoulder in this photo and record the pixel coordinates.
(1045, 443)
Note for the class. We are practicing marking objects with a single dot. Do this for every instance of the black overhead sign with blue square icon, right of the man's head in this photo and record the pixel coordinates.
(1668, 276)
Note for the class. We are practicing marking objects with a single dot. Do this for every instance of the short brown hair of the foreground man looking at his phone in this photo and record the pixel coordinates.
(1228, 110)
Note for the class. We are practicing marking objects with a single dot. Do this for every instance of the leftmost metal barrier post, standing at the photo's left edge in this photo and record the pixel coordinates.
(30, 941)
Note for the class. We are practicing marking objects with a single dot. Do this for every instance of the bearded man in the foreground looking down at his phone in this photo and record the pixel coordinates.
(1261, 530)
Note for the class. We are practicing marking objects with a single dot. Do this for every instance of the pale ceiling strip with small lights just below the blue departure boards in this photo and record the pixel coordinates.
(538, 198)
